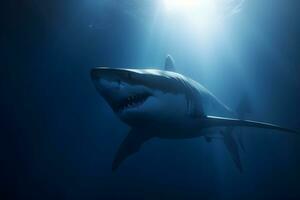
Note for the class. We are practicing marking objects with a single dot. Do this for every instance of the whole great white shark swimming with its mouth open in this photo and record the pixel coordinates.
(165, 104)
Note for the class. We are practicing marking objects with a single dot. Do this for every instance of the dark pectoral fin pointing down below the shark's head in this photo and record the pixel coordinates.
(129, 146)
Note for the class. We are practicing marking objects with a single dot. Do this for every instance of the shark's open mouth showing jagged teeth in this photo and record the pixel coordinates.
(131, 102)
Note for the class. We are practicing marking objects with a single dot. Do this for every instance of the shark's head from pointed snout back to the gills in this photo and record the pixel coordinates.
(139, 96)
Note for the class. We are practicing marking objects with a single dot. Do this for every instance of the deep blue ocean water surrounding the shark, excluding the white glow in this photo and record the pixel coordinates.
(59, 137)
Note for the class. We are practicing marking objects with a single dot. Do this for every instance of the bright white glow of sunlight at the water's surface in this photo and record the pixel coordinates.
(201, 18)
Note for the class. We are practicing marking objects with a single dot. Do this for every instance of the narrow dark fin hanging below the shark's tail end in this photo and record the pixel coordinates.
(232, 147)
